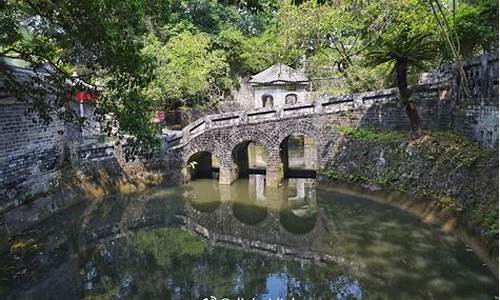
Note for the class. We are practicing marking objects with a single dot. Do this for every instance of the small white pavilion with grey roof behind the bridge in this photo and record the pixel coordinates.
(279, 85)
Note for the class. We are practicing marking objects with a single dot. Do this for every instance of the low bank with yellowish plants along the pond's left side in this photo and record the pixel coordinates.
(73, 187)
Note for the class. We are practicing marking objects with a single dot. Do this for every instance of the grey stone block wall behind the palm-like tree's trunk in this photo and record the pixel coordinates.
(442, 103)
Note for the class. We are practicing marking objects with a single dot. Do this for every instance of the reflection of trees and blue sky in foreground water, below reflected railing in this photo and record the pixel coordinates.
(171, 264)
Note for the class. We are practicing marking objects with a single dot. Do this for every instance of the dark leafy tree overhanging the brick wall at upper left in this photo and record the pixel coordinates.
(100, 40)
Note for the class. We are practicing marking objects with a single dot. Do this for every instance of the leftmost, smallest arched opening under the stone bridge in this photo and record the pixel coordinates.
(202, 165)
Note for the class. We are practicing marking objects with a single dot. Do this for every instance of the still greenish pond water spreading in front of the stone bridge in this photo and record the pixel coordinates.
(298, 241)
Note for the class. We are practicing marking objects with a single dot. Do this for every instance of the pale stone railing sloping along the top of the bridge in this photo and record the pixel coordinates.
(324, 105)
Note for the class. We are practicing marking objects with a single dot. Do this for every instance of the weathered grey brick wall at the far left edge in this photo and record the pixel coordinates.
(30, 154)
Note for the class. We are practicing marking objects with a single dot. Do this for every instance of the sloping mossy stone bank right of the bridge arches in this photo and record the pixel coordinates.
(455, 180)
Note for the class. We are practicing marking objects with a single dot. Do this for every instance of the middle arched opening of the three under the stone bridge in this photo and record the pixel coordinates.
(250, 158)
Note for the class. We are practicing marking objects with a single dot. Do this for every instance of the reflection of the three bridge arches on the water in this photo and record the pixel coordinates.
(293, 205)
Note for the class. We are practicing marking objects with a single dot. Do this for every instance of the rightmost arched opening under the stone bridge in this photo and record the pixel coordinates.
(298, 154)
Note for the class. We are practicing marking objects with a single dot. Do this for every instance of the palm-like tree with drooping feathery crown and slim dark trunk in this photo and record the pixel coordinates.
(405, 52)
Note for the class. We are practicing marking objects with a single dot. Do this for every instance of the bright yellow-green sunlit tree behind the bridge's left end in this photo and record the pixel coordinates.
(186, 70)
